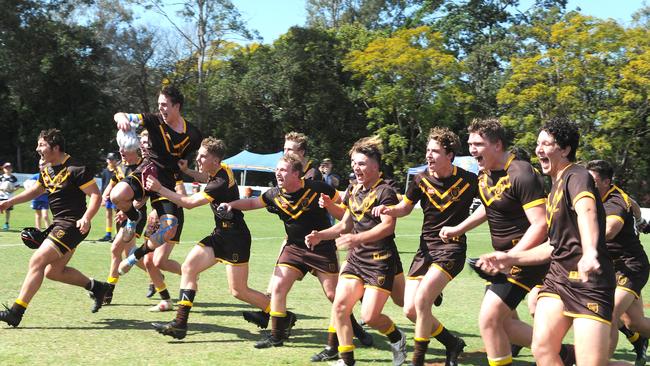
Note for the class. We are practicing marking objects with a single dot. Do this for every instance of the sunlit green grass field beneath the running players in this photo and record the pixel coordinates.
(59, 329)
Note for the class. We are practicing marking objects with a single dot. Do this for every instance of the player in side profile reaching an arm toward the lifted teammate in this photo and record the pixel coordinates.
(229, 242)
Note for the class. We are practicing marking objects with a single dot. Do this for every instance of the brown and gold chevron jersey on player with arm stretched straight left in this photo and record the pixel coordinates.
(299, 210)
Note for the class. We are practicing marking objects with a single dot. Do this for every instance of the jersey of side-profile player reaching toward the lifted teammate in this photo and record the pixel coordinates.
(222, 187)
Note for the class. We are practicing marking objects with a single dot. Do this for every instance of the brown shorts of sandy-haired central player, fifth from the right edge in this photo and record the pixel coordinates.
(377, 272)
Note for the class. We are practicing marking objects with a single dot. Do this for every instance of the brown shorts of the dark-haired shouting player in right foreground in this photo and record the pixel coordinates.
(580, 299)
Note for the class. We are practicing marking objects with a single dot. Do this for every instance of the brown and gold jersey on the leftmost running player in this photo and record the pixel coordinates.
(63, 184)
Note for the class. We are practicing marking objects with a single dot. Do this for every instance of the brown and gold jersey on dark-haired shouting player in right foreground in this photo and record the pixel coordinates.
(573, 184)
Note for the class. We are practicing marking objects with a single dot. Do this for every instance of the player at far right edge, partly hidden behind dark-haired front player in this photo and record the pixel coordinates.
(630, 261)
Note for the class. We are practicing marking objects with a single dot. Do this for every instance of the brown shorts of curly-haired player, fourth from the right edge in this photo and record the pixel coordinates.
(451, 263)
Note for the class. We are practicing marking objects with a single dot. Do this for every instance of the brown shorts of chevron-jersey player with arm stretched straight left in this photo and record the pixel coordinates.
(322, 259)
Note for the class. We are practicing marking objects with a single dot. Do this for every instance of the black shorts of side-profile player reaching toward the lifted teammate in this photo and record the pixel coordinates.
(230, 246)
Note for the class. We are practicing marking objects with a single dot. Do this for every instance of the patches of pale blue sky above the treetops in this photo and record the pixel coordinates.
(272, 18)
